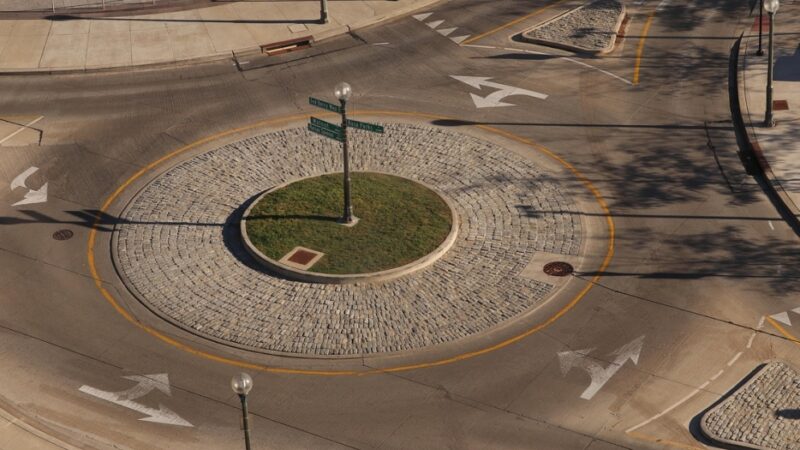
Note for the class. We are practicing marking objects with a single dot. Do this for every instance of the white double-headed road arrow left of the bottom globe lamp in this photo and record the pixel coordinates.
(145, 384)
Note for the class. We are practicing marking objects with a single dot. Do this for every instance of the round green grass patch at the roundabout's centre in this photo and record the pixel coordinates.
(400, 221)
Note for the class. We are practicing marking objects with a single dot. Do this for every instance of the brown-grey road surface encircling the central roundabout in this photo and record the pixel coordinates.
(700, 256)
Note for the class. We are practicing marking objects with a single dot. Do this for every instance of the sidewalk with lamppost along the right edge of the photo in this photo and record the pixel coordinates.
(776, 148)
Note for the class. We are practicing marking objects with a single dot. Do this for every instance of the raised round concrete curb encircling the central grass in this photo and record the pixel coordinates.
(373, 277)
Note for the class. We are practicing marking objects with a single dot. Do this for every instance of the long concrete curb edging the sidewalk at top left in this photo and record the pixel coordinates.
(317, 37)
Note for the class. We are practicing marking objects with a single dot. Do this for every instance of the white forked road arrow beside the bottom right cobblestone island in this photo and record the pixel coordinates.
(599, 374)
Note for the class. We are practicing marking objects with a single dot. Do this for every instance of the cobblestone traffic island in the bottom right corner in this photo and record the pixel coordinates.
(762, 414)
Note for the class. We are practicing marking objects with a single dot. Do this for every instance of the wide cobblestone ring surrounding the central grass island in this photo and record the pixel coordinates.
(177, 245)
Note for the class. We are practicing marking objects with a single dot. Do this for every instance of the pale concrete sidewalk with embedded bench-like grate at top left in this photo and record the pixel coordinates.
(88, 43)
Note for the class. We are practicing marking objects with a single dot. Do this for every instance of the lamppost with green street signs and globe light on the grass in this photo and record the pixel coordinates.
(339, 133)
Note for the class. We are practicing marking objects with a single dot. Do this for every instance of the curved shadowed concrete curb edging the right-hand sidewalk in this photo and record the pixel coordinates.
(752, 147)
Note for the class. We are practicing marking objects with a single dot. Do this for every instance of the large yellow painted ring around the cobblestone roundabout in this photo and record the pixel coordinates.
(284, 120)
